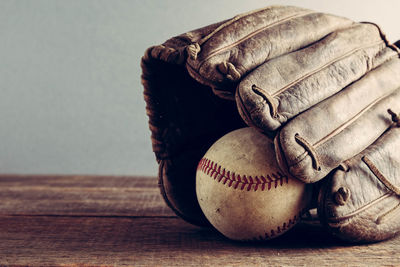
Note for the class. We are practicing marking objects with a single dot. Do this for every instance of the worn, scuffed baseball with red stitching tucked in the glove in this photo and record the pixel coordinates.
(242, 191)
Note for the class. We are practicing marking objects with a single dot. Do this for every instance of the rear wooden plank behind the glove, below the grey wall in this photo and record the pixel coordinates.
(81, 196)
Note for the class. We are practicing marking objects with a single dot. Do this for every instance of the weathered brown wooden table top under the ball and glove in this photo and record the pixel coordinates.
(122, 221)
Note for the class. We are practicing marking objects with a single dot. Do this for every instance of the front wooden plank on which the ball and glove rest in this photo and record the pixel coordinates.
(166, 241)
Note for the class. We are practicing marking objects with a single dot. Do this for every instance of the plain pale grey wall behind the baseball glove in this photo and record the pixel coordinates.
(70, 94)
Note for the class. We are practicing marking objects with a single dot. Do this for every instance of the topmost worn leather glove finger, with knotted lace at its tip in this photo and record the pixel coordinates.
(246, 41)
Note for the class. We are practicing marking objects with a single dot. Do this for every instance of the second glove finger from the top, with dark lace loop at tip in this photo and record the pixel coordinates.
(288, 85)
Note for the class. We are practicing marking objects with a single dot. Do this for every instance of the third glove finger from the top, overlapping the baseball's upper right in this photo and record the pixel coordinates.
(319, 139)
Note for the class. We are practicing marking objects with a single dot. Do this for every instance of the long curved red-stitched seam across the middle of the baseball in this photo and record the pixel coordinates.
(242, 182)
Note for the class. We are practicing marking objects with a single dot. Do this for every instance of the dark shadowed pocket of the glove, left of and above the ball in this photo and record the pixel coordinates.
(185, 119)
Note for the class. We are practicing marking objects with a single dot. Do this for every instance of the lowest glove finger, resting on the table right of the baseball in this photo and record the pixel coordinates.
(361, 203)
